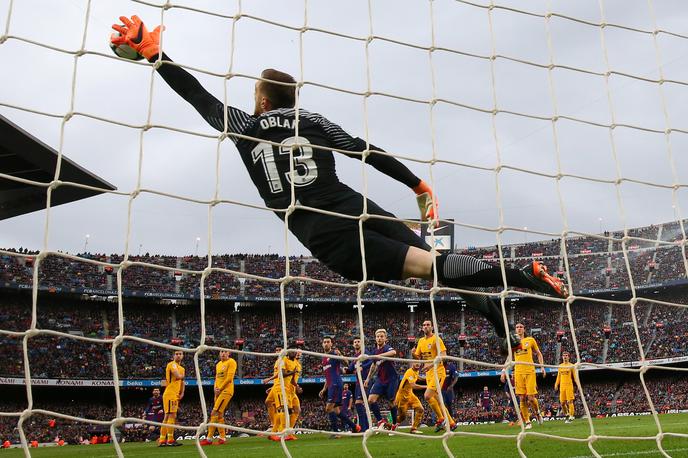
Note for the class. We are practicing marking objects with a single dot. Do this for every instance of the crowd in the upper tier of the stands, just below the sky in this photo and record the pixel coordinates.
(649, 256)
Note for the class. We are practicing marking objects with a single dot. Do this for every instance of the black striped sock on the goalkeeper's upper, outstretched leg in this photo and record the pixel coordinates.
(458, 270)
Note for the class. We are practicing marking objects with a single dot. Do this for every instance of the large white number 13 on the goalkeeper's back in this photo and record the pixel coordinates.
(305, 168)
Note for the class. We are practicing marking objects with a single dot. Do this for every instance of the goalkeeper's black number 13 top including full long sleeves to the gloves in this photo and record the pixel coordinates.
(266, 141)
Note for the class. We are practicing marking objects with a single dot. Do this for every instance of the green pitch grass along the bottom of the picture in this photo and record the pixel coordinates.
(502, 444)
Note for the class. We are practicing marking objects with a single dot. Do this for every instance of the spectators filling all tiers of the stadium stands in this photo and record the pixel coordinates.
(607, 330)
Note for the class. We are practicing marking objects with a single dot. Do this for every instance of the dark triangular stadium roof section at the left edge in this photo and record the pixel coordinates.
(24, 156)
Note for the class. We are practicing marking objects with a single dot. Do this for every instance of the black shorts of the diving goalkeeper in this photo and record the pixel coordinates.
(335, 241)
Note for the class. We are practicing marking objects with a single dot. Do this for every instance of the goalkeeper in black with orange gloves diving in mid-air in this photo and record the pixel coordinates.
(277, 158)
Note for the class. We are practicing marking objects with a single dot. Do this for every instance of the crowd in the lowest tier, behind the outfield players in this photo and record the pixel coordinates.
(247, 410)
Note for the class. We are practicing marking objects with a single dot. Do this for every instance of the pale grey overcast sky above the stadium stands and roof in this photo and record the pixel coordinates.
(40, 79)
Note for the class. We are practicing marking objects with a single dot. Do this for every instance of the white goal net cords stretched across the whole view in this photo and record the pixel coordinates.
(612, 126)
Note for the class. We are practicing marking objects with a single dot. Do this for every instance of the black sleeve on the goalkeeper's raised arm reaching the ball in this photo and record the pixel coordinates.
(207, 105)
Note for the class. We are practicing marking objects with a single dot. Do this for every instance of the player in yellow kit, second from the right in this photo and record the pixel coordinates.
(524, 375)
